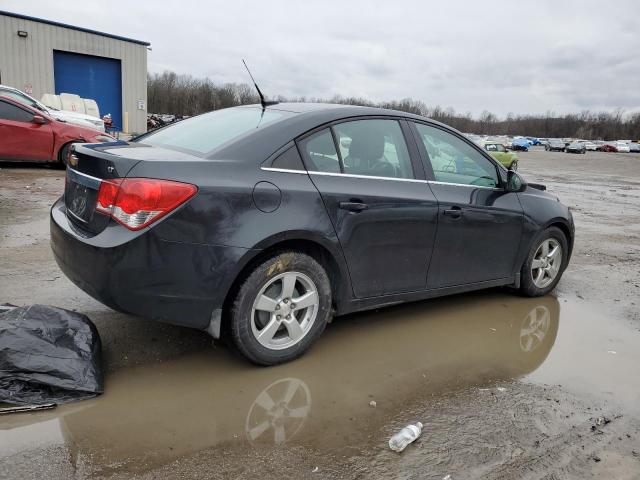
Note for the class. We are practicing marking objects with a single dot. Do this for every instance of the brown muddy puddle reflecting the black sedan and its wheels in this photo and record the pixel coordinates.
(397, 357)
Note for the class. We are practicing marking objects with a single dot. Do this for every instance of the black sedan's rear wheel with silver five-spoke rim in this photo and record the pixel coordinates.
(281, 309)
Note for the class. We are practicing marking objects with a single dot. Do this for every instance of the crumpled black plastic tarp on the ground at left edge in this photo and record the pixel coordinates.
(48, 355)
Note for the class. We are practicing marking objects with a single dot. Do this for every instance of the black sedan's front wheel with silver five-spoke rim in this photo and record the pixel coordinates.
(545, 263)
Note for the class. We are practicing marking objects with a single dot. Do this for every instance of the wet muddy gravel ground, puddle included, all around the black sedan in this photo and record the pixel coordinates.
(506, 387)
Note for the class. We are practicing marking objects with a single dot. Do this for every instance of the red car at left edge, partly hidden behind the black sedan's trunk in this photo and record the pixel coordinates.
(32, 135)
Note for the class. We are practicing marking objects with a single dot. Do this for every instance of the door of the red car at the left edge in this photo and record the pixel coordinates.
(22, 138)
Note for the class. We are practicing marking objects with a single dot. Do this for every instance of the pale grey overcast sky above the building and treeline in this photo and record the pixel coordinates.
(501, 56)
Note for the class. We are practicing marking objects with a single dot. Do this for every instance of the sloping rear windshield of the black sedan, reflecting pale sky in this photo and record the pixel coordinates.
(205, 133)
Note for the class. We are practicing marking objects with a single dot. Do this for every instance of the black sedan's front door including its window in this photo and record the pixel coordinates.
(479, 222)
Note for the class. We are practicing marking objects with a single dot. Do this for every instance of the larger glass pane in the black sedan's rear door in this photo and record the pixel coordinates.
(374, 148)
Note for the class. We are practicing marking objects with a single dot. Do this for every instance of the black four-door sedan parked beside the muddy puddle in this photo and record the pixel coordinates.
(261, 223)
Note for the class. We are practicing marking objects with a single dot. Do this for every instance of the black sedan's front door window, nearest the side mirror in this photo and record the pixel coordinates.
(455, 161)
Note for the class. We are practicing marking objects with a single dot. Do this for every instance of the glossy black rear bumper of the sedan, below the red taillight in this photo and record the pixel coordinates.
(144, 275)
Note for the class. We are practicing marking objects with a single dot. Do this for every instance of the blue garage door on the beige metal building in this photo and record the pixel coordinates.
(91, 77)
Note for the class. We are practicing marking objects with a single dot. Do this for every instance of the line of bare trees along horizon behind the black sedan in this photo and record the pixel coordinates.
(176, 94)
